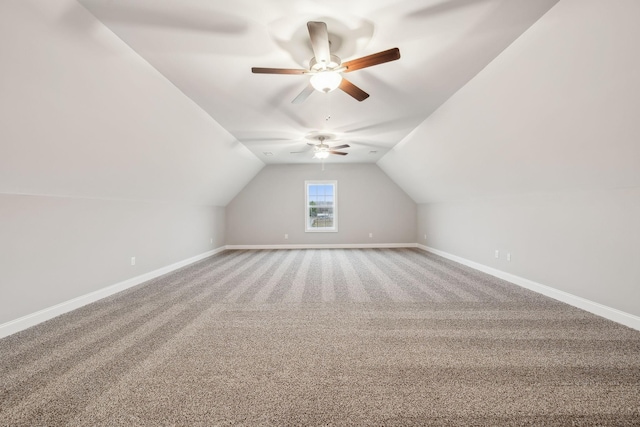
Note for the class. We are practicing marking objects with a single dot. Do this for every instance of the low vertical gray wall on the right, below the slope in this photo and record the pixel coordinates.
(583, 243)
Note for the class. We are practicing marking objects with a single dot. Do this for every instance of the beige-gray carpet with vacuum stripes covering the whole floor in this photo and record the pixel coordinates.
(323, 337)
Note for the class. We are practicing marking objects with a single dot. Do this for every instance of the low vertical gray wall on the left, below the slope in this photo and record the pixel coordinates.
(55, 249)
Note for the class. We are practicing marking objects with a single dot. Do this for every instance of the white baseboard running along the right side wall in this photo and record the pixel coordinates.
(593, 307)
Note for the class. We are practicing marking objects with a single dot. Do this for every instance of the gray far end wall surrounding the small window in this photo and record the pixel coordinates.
(273, 204)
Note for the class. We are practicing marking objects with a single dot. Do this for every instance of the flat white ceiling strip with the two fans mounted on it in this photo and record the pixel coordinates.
(207, 49)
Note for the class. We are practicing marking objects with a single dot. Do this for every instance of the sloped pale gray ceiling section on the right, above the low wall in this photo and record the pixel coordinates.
(556, 112)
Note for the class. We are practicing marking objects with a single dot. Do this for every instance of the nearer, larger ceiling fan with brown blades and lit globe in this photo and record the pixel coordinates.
(326, 69)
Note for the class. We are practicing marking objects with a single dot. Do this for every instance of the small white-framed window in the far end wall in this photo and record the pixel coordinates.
(321, 206)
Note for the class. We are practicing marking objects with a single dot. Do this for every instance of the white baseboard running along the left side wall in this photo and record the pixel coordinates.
(33, 319)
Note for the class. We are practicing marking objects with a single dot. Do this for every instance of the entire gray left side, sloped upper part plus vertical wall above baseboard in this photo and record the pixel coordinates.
(101, 159)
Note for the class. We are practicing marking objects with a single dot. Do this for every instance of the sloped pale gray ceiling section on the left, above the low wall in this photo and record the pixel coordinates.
(82, 115)
